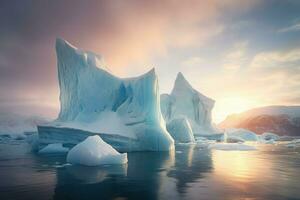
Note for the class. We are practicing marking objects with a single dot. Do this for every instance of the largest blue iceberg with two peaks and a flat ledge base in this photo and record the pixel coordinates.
(124, 112)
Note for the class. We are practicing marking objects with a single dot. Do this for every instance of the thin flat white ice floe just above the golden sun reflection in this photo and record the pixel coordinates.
(231, 147)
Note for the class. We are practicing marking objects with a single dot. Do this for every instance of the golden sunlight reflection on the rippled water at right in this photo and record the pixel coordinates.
(269, 173)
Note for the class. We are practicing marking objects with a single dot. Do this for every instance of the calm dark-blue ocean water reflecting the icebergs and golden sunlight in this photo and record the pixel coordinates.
(190, 172)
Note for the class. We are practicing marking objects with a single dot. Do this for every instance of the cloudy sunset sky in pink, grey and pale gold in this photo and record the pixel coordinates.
(243, 54)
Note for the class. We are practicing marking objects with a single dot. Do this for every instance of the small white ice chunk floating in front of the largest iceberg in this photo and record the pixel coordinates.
(94, 151)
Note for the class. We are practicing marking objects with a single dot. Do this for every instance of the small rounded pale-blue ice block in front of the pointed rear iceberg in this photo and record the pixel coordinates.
(181, 131)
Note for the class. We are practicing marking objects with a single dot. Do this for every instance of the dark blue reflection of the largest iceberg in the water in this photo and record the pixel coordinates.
(139, 179)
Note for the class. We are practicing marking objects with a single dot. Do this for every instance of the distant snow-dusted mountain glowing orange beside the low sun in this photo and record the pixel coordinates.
(282, 120)
